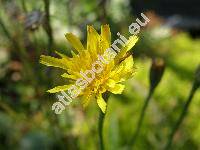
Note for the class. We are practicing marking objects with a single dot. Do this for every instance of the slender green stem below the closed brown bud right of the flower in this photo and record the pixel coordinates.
(141, 118)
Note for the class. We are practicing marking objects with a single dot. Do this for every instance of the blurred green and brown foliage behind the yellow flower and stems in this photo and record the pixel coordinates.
(31, 28)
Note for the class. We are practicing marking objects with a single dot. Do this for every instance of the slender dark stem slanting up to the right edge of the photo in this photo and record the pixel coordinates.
(181, 117)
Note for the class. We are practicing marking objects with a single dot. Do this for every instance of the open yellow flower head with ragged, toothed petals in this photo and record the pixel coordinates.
(117, 67)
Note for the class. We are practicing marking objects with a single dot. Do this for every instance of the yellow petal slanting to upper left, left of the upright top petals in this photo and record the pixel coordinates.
(75, 42)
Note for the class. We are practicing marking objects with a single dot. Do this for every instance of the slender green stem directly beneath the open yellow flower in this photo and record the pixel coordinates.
(101, 121)
